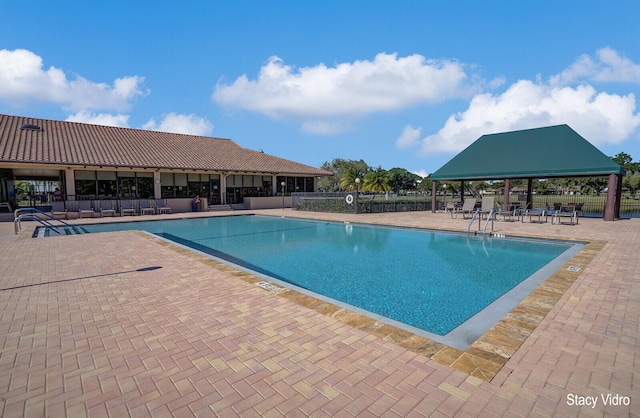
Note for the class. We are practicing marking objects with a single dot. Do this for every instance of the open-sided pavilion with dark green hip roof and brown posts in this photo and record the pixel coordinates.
(541, 153)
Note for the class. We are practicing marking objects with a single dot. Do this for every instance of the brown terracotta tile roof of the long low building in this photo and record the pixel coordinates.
(72, 143)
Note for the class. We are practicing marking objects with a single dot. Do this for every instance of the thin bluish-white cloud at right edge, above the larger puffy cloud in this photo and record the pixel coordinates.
(609, 66)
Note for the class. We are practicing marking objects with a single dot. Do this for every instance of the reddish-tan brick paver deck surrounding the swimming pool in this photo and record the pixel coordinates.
(123, 324)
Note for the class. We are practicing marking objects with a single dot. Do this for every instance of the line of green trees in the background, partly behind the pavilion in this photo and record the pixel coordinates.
(400, 180)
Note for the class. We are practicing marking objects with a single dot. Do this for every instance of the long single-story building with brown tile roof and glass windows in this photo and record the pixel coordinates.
(94, 162)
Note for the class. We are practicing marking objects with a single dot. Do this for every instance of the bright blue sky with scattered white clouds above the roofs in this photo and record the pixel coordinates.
(398, 84)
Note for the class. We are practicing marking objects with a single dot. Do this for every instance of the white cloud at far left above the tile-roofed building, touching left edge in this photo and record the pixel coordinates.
(23, 79)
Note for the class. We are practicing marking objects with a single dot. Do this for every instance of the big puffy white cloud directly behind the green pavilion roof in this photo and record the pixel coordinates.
(599, 117)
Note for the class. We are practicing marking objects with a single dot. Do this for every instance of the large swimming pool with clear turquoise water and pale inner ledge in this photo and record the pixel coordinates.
(432, 283)
